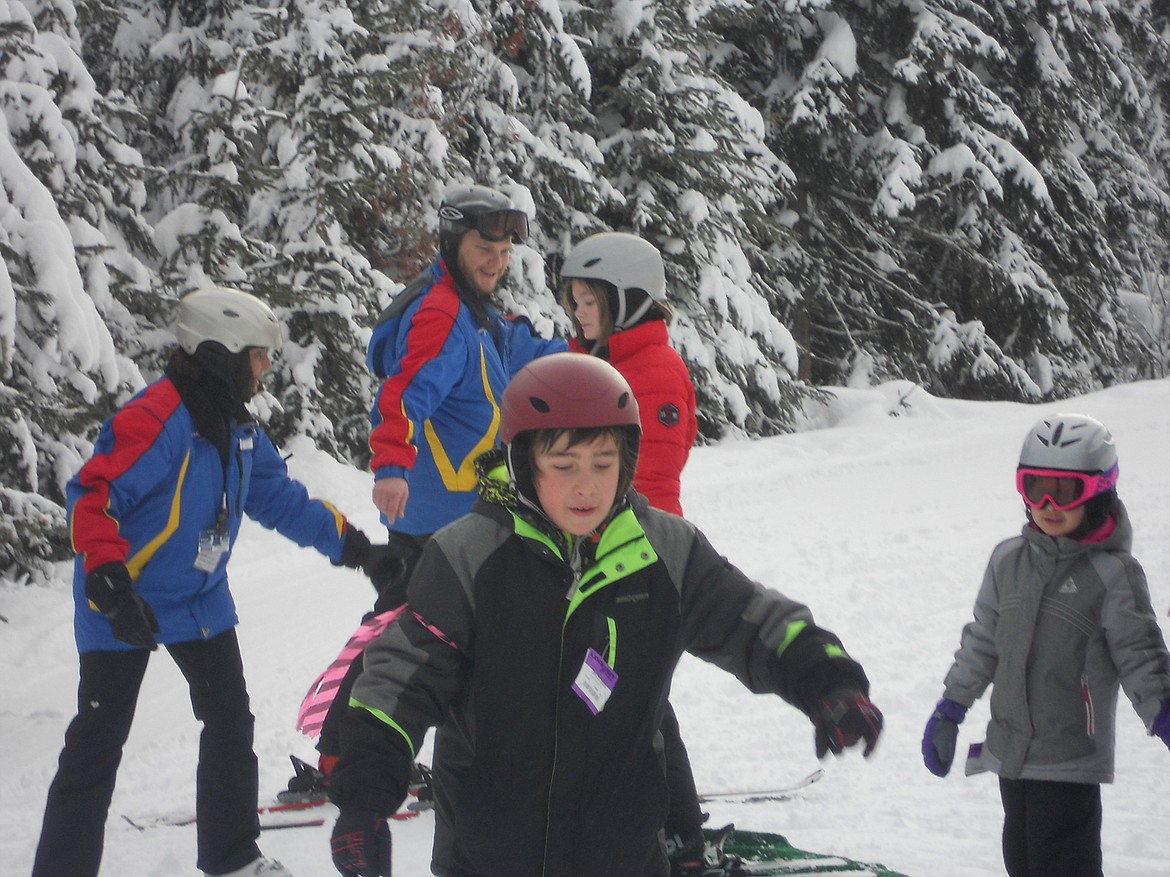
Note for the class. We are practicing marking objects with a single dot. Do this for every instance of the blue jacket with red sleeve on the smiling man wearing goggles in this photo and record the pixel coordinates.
(438, 408)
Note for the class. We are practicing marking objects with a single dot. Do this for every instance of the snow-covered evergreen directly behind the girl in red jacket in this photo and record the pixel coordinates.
(689, 158)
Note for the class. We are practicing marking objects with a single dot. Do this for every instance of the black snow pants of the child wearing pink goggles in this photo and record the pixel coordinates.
(1051, 830)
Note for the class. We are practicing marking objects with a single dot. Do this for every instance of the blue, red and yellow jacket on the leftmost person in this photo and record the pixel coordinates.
(153, 487)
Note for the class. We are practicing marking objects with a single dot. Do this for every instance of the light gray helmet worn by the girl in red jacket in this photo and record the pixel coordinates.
(627, 263)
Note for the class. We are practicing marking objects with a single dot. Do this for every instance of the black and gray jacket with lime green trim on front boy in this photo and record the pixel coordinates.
(504, 613)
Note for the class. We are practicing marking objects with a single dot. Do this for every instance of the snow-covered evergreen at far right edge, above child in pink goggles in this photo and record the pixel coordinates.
(1090, 84)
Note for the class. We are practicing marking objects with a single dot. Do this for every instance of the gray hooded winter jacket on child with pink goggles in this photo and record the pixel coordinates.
(1058, 626)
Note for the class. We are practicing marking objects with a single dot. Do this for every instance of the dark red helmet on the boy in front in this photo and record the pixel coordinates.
(568, 391)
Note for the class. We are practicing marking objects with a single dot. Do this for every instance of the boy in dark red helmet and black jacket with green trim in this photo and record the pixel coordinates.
(542, 633)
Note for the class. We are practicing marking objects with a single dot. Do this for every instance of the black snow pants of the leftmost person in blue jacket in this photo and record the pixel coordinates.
(226, 779)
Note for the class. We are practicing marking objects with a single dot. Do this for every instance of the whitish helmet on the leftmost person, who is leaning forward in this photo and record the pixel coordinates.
(233, 319)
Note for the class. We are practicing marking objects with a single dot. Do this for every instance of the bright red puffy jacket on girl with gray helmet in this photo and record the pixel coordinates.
(666, 399)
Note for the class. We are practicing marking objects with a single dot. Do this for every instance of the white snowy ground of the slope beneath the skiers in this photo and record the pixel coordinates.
(883, 524)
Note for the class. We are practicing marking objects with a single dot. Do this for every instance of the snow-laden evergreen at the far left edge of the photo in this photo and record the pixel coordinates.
(70, 234)
